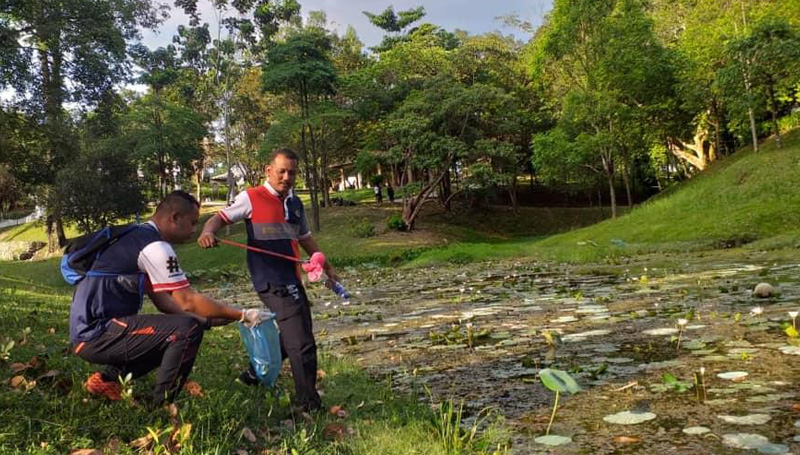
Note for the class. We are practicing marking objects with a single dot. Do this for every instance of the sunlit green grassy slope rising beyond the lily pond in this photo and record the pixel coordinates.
(745, 200)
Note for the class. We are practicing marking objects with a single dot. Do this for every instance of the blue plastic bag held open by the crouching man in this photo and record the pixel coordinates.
(264, 348)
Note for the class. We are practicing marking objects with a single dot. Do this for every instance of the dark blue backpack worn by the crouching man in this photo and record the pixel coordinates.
(81, 252)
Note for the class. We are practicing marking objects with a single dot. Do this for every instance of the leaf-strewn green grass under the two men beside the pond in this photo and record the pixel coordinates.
(55, 416)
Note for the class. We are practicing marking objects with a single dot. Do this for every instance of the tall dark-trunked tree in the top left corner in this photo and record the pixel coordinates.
(72, 50)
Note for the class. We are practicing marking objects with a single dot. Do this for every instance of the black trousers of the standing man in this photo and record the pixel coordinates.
(293, 315)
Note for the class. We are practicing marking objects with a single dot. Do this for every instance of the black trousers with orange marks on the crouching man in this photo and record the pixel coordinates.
(139, 344)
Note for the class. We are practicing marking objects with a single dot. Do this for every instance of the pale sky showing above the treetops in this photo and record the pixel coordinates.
(474, 16)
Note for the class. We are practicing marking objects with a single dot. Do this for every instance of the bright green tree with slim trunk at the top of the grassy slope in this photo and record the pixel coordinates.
(607, 68)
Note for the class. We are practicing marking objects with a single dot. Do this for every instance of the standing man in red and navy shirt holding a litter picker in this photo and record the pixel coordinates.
(276, 221)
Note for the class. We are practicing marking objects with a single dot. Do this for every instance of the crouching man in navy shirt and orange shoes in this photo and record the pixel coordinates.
(105, 327)
